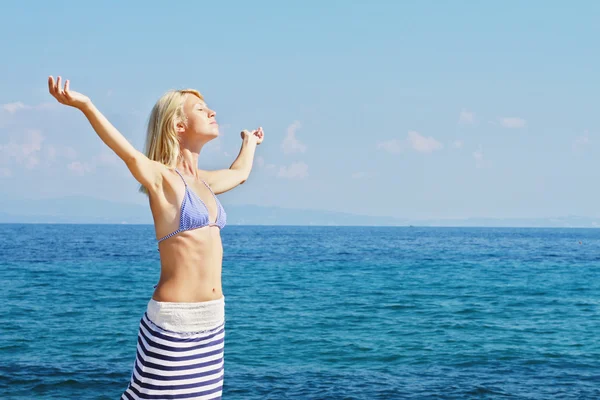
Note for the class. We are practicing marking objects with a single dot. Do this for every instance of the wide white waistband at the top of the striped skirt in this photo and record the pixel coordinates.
(187, 317)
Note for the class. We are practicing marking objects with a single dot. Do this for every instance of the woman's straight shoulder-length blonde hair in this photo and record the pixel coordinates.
(162, 141)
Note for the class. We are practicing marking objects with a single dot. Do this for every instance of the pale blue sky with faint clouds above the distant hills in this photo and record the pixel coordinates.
(409, 109)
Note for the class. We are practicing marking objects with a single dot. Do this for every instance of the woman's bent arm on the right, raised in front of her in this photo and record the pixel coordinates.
(223, 180)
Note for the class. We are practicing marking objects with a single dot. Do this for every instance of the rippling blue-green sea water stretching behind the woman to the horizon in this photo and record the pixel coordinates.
(316, 312)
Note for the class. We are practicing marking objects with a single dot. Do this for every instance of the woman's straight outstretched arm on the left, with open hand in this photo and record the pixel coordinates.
(147, 172)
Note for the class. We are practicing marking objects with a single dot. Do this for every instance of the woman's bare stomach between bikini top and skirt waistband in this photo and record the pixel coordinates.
(191, 267)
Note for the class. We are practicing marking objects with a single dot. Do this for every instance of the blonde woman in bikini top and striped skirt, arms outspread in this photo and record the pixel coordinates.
(181, 334)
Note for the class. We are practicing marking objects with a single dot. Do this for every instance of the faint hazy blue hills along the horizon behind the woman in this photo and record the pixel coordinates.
(94, 211)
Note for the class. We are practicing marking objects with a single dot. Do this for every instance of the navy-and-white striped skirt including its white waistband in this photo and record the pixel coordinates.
(179, 352)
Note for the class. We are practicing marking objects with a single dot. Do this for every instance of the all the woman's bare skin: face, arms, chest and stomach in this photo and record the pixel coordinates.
(191, 261)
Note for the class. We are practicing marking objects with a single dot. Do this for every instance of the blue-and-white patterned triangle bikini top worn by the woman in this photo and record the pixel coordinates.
(194, 213)
